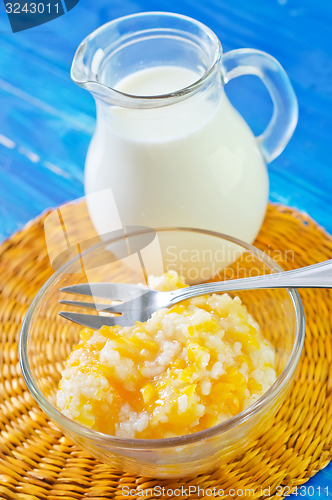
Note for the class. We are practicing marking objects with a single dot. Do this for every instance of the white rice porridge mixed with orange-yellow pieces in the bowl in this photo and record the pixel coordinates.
(189, 367)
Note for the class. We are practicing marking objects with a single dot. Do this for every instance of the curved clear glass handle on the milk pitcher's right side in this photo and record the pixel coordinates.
(285, 108)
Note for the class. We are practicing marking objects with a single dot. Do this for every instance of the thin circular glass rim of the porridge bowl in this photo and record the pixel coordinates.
(223, 427)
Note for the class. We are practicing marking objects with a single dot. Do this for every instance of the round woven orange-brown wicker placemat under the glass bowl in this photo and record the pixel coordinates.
(37, 461)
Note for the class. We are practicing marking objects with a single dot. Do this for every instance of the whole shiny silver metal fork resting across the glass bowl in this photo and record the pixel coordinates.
(138, 303)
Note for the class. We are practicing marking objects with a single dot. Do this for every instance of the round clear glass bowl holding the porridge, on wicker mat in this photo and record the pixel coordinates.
(201, 256)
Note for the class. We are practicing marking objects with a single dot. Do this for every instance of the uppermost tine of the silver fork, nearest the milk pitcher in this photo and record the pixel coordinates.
(122, 291)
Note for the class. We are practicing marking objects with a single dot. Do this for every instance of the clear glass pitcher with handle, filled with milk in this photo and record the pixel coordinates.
(169, 149)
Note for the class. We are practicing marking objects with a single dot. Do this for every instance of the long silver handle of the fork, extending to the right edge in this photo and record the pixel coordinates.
(315, 276)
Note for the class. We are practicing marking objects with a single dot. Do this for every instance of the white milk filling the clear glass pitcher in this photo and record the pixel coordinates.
(195, 163)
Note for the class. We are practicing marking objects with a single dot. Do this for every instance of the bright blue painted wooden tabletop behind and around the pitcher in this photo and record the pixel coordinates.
(46, 121)
